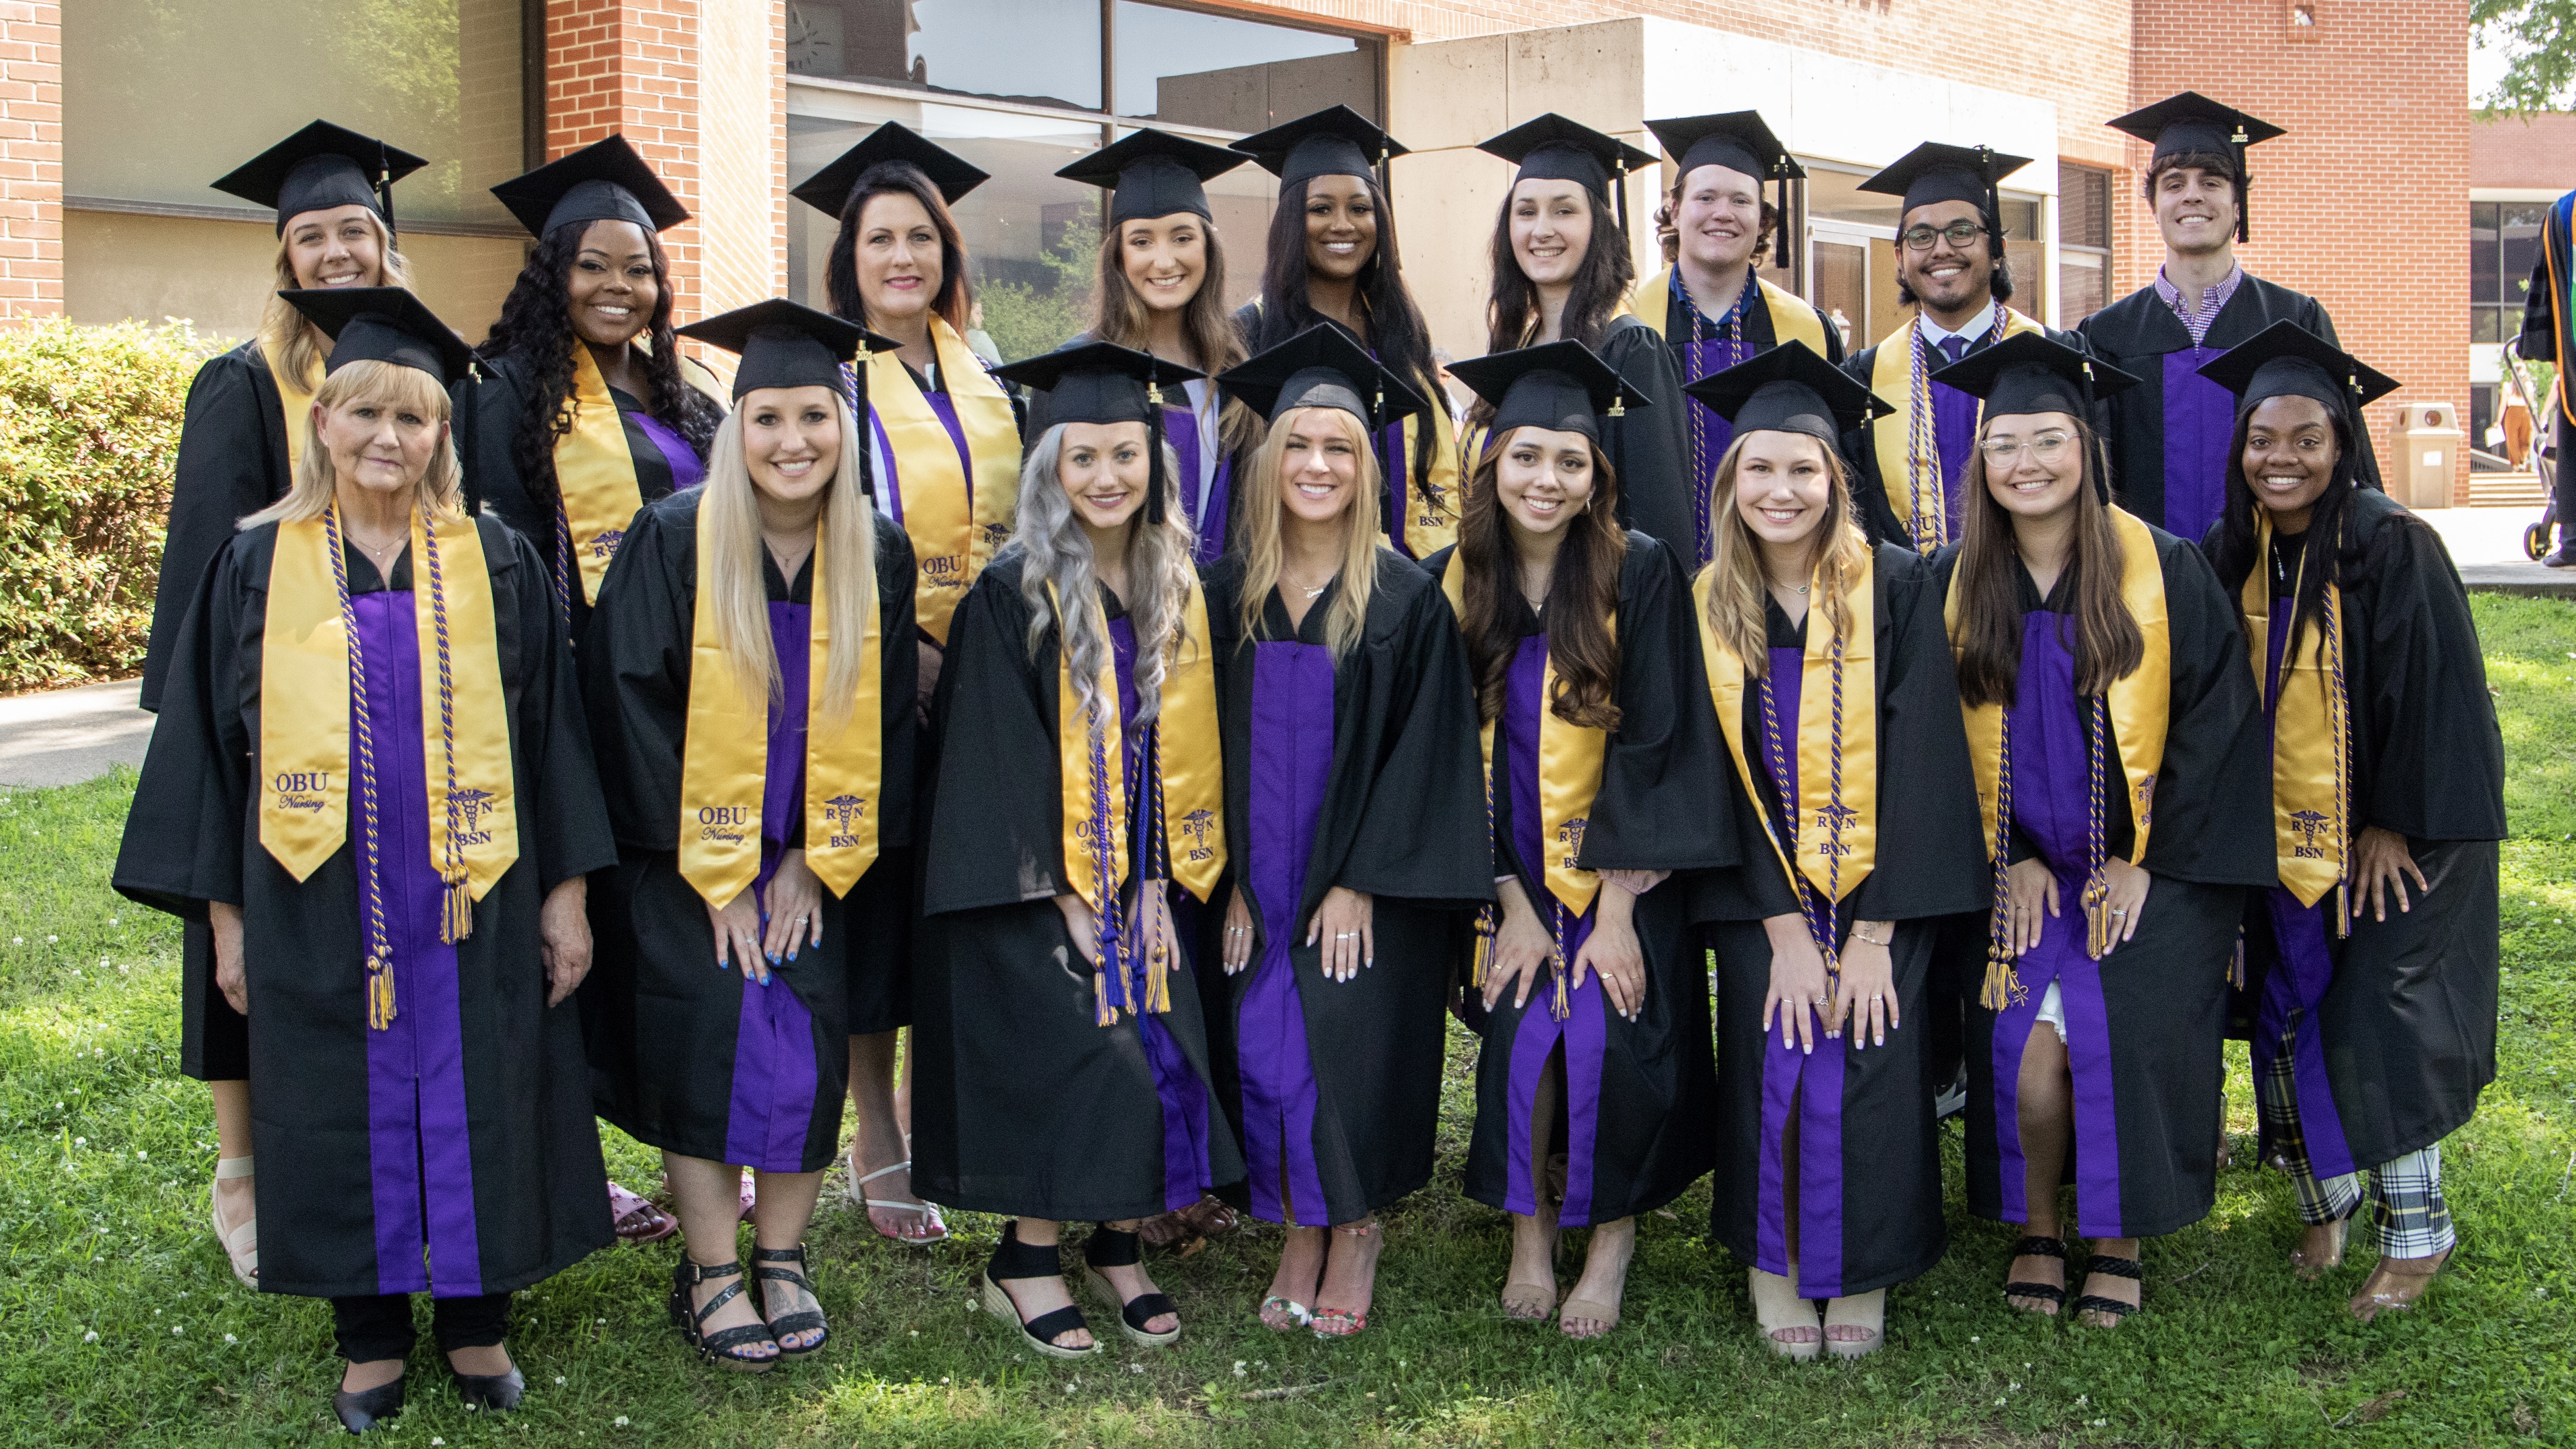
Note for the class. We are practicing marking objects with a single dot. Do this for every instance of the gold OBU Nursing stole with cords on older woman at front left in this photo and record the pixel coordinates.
(308, 699)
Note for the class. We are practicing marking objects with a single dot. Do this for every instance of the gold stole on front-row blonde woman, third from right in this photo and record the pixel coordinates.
(1841, 851)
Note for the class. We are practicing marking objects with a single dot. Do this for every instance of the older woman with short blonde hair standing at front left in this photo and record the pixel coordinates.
(372, 779)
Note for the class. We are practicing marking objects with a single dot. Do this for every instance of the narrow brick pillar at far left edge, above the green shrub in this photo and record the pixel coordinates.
(30, 161)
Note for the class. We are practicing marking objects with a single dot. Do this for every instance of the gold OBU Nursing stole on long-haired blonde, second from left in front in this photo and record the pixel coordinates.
(725, 753)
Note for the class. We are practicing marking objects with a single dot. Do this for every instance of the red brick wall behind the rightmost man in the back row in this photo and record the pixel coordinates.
(2363, 202)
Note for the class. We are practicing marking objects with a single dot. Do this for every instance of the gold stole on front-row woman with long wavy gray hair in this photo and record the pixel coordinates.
(1189, 779)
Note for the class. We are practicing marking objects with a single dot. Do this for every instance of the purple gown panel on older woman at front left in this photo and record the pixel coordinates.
(421, 1154)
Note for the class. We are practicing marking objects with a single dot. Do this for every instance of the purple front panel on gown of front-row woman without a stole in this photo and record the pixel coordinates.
(1292, 763)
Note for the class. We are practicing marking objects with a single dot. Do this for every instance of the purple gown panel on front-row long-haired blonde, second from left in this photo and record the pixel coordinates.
(772, 1105)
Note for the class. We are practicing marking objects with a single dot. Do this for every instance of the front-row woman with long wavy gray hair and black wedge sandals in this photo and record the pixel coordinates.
(1063, 1057)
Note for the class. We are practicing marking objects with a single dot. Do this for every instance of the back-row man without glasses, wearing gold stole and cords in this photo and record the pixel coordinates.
(1709, 305)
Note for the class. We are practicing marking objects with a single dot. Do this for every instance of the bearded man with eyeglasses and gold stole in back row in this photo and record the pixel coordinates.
(1951, 269)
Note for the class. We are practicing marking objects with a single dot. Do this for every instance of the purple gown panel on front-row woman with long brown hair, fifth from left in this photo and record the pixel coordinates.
(1539, 1031)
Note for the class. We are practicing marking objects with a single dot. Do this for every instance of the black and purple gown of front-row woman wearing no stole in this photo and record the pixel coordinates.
(1351, 773)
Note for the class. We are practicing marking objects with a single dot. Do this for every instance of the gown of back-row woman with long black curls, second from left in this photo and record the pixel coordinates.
(486, 441)
